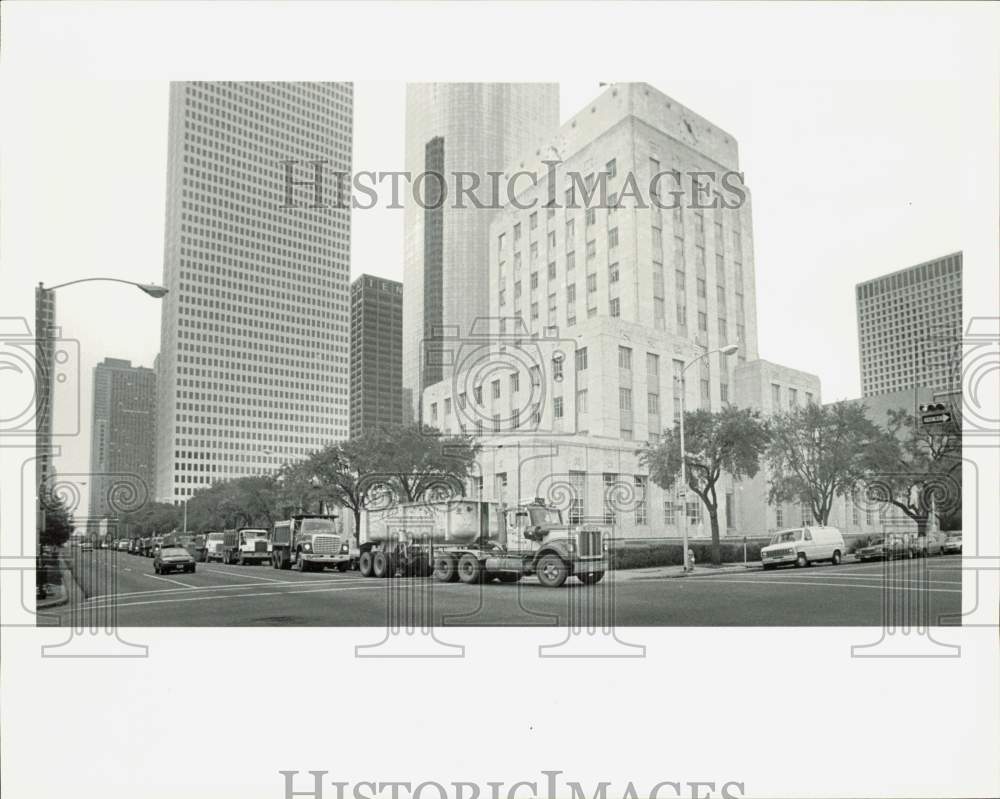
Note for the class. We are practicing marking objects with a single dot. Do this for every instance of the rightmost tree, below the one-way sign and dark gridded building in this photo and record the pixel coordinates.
(918, 469)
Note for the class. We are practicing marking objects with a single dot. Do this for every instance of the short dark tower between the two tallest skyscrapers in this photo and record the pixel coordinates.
(376, 353)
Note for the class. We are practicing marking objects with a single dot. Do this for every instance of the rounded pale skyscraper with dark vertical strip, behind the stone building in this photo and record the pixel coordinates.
(476, 128)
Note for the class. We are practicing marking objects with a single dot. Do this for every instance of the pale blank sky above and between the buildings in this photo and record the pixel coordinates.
(850, 178)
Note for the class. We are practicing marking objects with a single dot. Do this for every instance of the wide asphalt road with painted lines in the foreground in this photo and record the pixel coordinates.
(122, 590)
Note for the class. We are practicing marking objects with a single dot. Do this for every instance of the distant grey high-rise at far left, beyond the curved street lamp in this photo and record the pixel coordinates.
(123, 432)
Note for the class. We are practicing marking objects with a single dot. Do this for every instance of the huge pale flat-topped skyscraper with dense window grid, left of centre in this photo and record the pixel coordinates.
(254, 348)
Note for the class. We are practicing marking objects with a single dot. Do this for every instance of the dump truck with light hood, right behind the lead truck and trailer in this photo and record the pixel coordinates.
(309, 542)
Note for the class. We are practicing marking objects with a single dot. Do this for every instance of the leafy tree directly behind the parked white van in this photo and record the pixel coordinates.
(819, 452)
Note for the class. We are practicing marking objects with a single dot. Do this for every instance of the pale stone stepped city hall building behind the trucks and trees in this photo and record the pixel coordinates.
(595, 308)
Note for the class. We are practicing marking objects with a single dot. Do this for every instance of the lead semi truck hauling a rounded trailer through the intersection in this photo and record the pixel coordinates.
(476, 542)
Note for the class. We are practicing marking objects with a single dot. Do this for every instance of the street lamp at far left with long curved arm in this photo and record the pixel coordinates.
(45, 359)
